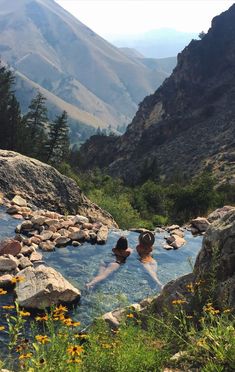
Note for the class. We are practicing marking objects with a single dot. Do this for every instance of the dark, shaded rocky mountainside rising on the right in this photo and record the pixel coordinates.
(188, 124)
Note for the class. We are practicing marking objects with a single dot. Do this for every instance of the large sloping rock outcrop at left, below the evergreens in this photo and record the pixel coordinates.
(43, 186)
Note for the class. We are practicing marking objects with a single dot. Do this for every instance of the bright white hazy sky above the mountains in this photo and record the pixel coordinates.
(112, 18)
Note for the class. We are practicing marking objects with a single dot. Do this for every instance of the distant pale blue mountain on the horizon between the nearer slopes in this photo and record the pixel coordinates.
(160, 43)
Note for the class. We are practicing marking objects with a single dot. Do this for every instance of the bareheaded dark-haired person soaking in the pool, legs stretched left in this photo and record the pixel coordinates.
(121, 252)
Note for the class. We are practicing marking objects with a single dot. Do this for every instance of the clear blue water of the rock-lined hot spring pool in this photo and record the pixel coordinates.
(131, 283)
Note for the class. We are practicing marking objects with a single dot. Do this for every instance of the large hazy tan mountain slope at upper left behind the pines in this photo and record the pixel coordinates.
(51, 48)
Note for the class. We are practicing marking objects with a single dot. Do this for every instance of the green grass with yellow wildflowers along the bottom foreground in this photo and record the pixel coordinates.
(204, 340)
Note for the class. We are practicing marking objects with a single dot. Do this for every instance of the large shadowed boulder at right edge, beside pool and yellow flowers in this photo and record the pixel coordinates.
(214, 266)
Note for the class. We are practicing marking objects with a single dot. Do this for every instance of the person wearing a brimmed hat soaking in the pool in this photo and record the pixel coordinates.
(144, 249)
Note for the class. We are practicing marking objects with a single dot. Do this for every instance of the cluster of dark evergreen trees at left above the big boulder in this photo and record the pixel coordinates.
(31, 134)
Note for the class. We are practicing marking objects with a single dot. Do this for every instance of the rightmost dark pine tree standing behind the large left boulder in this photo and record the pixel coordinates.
(58, 145)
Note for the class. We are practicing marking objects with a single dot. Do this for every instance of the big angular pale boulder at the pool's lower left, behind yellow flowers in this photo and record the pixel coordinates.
(44, 287)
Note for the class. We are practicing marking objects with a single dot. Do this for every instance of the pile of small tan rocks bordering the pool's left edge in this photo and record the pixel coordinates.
(47, 230)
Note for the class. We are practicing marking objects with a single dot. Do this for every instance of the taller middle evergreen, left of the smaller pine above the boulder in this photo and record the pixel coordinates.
(36, 120)
